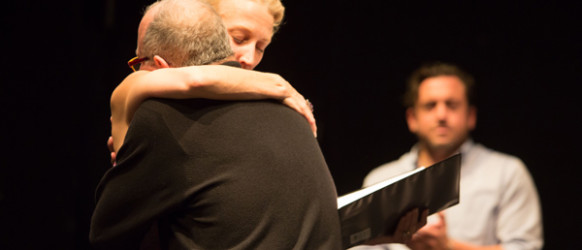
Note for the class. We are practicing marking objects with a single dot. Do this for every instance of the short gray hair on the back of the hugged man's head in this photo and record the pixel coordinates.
(185, 33)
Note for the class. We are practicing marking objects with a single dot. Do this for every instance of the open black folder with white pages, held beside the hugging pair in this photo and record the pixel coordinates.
(375, 210)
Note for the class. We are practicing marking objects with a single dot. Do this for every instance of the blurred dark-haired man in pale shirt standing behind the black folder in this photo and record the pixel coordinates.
(499, 205)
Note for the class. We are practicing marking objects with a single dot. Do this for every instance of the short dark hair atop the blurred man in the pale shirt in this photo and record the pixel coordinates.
(434, 69)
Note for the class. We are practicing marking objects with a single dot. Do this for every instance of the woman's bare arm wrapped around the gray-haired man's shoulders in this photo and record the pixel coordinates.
(211, 82)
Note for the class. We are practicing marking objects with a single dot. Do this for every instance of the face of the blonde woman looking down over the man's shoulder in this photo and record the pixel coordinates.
(250, 26)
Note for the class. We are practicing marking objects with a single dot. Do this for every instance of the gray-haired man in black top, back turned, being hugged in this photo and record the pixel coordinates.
(202, 174)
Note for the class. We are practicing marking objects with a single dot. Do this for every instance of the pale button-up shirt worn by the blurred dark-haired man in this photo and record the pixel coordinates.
(499, 203)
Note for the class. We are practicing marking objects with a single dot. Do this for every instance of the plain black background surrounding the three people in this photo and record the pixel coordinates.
(61, 60)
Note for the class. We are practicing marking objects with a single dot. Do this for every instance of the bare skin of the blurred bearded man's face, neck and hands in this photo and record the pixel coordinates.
(442, 119)
